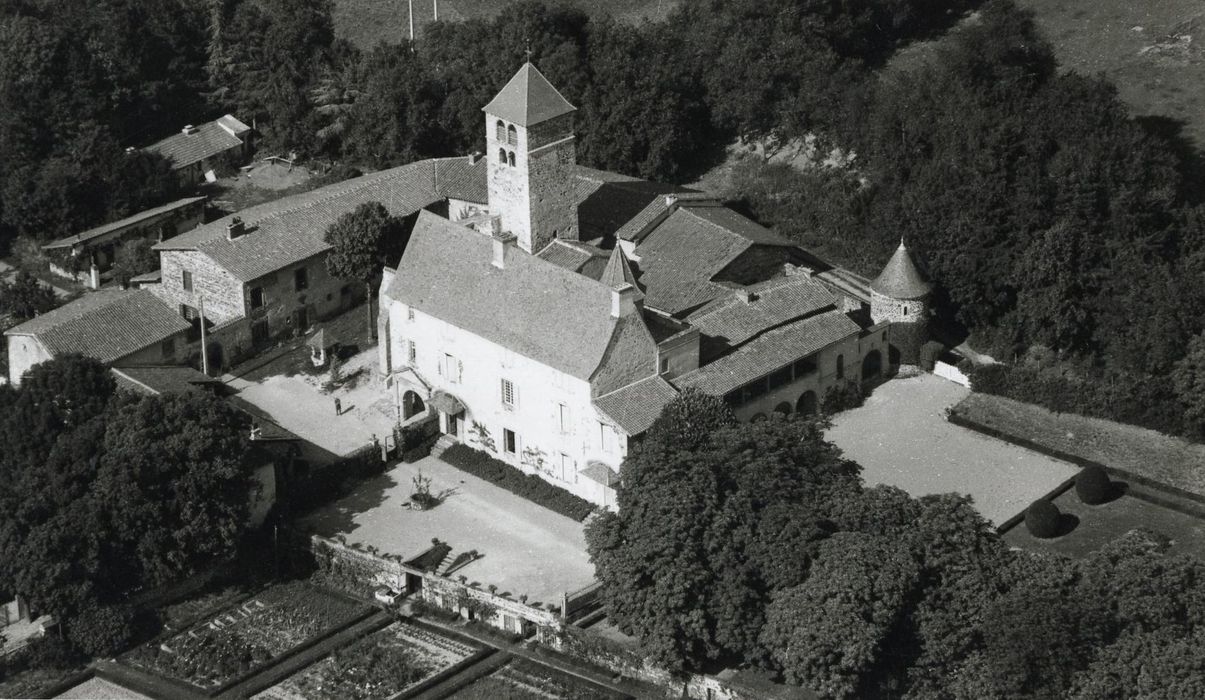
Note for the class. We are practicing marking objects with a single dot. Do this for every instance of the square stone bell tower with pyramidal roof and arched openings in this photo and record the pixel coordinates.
(531, 151)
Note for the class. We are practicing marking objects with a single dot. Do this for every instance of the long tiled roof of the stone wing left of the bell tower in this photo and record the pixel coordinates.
(292, 230)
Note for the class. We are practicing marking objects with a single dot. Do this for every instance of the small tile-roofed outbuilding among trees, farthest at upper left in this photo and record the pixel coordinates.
(197, 152)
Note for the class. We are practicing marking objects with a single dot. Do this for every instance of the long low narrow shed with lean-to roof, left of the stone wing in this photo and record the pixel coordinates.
(89, 257)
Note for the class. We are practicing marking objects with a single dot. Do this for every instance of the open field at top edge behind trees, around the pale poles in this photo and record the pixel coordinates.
(367, 23)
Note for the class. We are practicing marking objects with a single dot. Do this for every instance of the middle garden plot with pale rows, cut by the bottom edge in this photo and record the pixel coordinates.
(379, 666)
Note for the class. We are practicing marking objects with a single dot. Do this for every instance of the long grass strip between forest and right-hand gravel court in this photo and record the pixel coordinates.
(1137, 451)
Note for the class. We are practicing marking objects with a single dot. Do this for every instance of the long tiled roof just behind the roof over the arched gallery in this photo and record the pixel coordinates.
(773, 303)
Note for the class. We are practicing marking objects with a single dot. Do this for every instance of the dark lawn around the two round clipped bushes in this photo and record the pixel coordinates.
(1098, 526)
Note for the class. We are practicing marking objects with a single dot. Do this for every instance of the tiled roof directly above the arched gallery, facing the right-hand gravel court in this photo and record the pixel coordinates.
(768, 352)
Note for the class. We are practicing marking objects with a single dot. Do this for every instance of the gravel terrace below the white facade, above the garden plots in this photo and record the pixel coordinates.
(527, 549)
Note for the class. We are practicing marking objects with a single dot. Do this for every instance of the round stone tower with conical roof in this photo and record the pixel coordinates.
(901, 296)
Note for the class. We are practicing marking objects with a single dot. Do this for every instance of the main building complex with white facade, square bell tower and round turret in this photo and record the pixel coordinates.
(554, 327)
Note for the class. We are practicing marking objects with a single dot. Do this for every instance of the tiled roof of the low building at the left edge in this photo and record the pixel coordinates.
(107, 325)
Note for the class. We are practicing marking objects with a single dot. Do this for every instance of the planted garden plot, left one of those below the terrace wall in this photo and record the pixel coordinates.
(260, 631)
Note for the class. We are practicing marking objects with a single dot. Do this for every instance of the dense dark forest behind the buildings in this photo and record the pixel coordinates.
(1066, 236)
